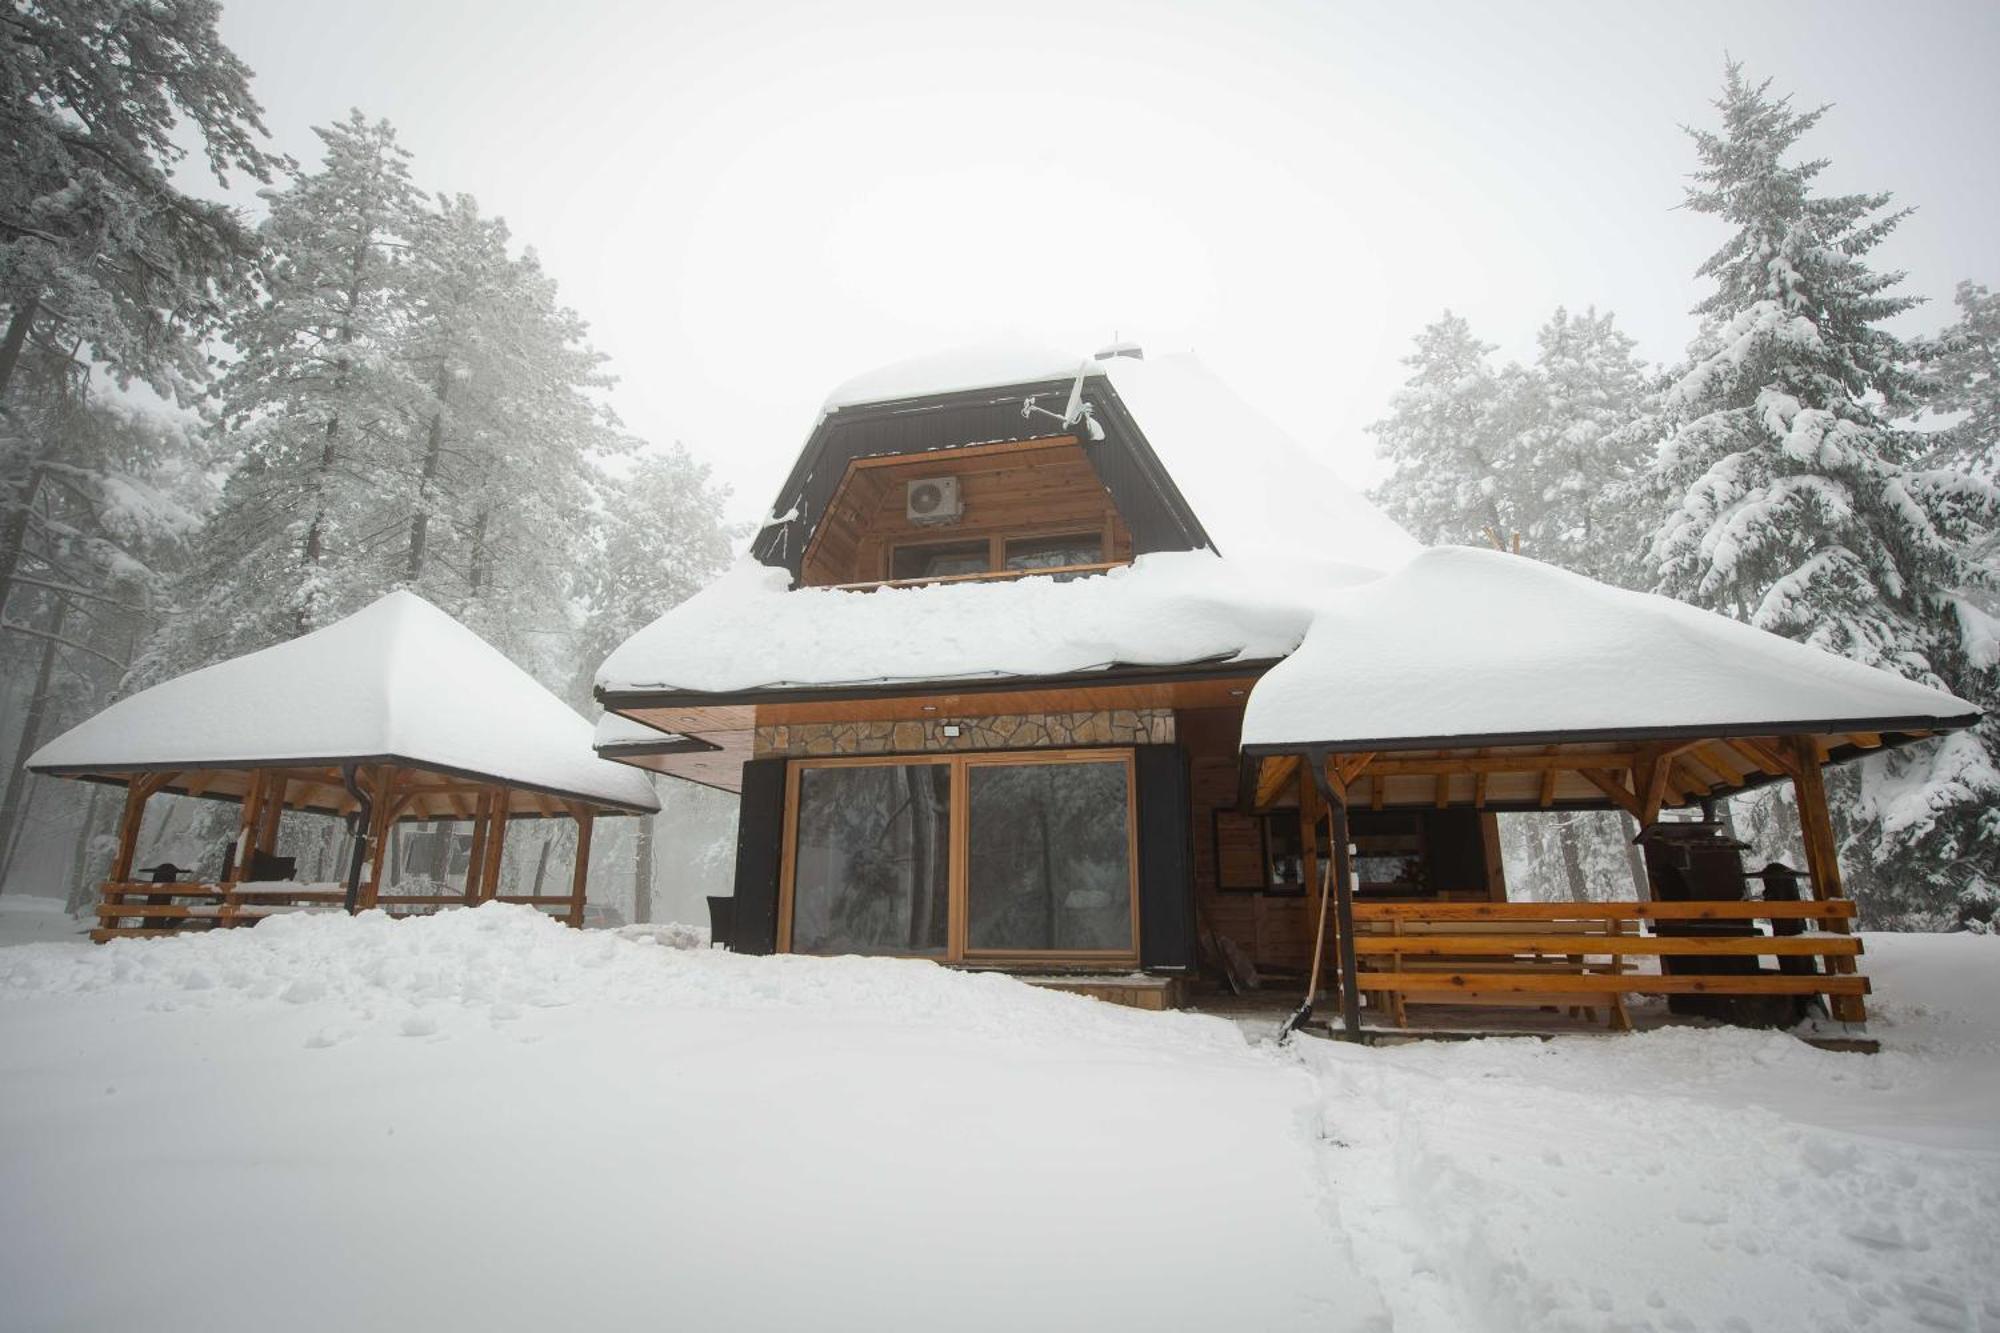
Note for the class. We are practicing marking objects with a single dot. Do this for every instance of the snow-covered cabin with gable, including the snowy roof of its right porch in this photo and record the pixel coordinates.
(1069, 663)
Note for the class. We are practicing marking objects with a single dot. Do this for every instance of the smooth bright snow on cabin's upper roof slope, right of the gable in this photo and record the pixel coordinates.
(1263, 499)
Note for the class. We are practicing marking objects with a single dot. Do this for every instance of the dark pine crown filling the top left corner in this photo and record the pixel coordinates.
(99, 251)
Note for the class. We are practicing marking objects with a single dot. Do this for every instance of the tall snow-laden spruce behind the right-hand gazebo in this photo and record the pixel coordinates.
(1797, 503)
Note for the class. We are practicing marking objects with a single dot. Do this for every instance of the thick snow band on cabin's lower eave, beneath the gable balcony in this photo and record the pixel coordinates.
(747, 631)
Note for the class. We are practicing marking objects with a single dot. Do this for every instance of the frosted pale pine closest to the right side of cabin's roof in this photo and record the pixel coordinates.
(1451, 439)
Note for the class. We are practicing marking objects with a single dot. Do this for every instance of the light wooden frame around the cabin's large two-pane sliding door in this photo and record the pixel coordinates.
(959, 842)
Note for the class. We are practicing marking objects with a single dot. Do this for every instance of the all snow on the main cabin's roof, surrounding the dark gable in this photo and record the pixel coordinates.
(1283, 527)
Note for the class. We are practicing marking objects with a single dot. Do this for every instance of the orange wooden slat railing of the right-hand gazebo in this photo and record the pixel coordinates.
(1581, 956)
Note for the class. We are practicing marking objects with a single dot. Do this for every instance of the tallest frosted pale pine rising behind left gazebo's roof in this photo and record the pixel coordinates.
(315, 405)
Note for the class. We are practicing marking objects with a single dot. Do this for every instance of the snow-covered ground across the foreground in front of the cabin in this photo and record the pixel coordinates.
(485, 1120)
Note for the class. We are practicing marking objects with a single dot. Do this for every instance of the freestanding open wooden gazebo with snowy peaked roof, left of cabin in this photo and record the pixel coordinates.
(395, 714)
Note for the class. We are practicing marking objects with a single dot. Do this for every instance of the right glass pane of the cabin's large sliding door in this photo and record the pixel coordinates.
(1049, 860)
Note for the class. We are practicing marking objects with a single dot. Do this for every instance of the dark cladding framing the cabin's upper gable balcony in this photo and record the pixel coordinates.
(1151, 513)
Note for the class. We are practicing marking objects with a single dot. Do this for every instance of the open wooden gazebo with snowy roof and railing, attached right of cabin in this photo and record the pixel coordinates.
(1491, 682)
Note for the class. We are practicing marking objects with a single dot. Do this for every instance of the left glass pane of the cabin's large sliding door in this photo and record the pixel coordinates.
(871, 866)
